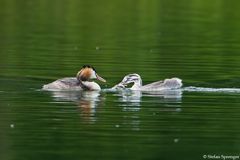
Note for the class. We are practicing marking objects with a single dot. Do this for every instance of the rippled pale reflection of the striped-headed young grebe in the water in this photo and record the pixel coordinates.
(132, 101)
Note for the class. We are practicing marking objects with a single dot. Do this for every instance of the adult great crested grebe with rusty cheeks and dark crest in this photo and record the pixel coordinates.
(81, 82)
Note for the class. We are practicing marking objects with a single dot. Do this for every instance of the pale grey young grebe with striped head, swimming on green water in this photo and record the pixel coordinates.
(173, 83)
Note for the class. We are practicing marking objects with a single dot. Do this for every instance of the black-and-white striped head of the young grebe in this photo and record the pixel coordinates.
(132, 78)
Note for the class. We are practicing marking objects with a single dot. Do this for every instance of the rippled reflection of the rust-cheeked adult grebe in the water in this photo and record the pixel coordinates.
(87, 101)
